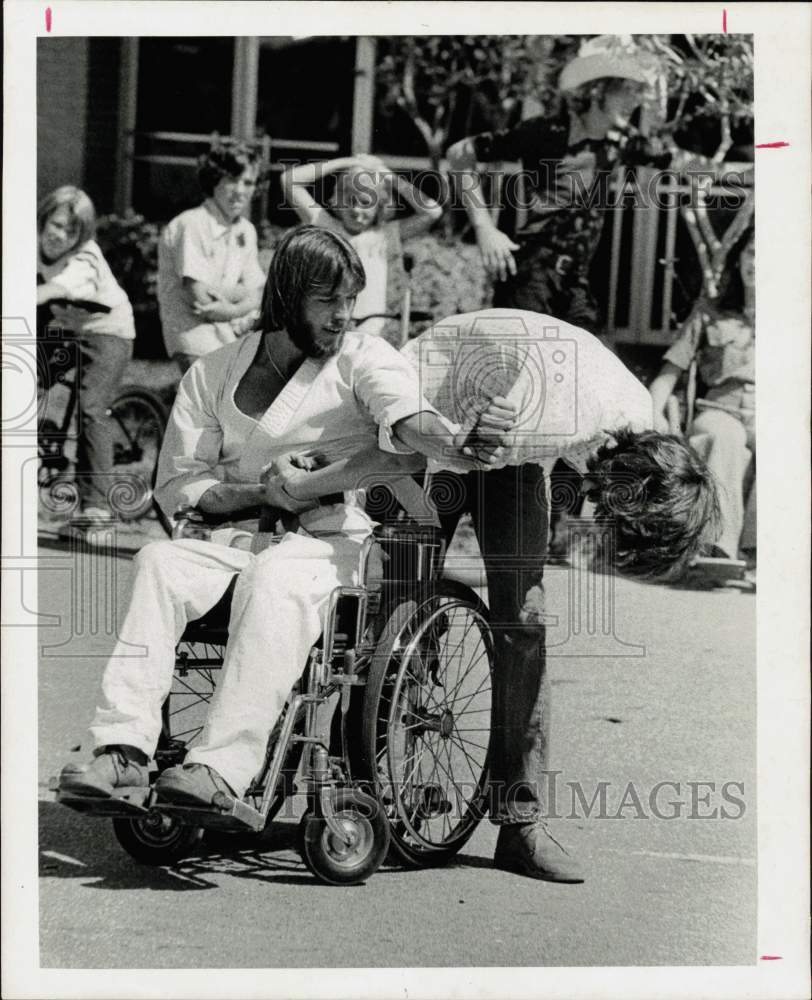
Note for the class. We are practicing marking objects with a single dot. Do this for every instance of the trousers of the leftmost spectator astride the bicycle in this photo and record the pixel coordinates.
(100, 361)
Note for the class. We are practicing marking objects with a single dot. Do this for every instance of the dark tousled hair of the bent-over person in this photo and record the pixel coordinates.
(660, 498)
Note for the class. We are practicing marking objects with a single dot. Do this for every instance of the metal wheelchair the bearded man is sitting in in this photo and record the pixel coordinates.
(387, 731)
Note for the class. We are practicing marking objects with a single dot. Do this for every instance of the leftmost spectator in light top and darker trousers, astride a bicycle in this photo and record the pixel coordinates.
(78, 296)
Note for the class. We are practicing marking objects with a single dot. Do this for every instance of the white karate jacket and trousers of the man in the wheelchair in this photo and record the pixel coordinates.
(334, 406)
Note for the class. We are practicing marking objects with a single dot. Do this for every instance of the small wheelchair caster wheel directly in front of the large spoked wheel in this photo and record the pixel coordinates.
(356, 856)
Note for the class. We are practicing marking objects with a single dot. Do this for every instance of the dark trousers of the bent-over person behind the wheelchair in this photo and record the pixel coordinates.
(509, 512)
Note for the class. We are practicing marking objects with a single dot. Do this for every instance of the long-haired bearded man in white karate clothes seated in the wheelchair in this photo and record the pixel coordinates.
(300, 384)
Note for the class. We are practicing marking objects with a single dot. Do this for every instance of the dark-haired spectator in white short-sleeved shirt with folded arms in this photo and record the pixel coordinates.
(209, 277)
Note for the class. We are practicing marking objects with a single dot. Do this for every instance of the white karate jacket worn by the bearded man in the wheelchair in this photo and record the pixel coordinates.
(335, 406)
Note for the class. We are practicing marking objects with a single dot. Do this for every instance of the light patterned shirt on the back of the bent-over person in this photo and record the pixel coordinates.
(570, 390)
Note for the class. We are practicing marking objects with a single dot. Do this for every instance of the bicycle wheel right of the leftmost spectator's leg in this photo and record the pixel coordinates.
(139, 421)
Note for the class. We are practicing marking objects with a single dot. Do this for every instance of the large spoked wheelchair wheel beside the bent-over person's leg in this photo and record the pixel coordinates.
(426, 720)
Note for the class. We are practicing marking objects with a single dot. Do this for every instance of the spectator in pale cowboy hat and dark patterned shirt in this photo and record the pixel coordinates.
(567, 157)
